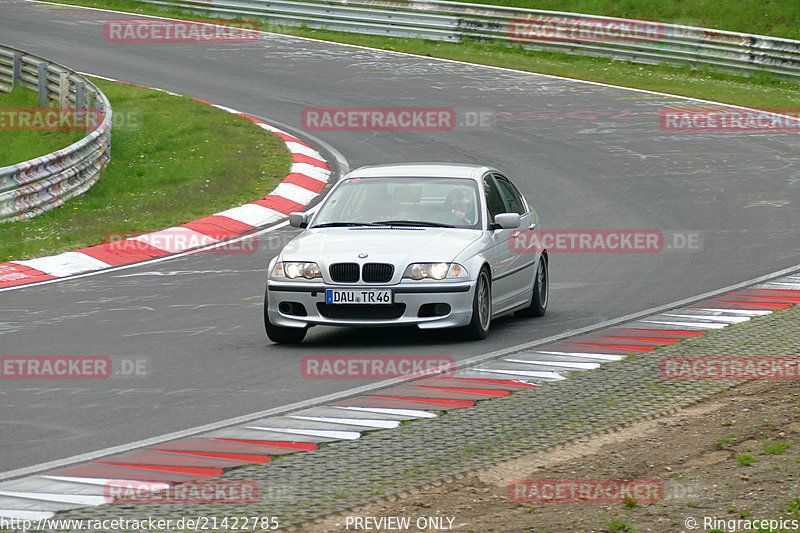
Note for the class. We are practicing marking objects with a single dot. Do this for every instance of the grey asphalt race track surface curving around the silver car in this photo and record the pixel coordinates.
(587, 156)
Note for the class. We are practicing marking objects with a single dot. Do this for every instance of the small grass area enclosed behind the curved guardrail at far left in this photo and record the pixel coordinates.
(19, 146)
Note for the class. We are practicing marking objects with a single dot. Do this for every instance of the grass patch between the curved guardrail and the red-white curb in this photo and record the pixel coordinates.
(176, 161)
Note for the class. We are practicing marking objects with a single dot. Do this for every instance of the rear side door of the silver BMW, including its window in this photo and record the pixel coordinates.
(521, 269)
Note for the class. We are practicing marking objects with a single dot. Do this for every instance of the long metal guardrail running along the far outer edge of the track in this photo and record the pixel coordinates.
(632, 40)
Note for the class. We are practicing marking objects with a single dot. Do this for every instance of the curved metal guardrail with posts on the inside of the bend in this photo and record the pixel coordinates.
(32, 187)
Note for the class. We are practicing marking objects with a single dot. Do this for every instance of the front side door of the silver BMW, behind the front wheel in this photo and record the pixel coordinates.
(499, 254)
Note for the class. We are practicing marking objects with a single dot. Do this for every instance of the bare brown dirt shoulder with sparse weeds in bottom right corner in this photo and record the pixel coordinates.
(734, 456)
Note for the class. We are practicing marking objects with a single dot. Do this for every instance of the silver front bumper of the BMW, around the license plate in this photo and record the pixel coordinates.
(414, 304)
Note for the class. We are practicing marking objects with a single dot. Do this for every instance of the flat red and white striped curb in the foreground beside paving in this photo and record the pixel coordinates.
(209, 453)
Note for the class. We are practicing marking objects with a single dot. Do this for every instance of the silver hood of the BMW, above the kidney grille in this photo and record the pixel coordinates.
(399, 246)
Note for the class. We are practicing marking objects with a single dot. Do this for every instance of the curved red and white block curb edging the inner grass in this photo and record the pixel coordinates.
(308, 175)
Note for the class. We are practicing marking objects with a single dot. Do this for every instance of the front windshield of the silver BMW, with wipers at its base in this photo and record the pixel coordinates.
(433, 202)
